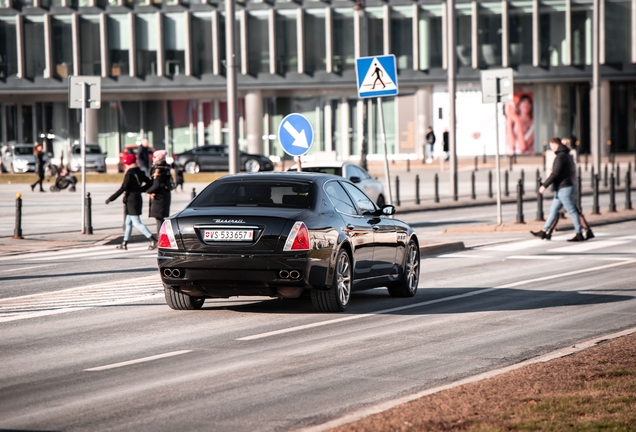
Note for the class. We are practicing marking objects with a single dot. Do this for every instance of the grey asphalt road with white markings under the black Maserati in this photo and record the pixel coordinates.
(95, 348)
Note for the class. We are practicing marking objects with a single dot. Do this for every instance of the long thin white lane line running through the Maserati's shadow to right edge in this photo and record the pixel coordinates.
(430, 302)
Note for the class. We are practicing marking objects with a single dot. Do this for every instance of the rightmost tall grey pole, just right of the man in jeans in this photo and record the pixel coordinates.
(596, 86)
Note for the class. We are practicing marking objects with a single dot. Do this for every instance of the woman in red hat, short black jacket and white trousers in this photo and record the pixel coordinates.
(135, 182)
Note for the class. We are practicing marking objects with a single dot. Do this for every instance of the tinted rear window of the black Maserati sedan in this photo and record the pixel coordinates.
(282, 194)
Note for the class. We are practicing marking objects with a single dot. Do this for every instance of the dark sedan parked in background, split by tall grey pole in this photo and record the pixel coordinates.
(215, 157)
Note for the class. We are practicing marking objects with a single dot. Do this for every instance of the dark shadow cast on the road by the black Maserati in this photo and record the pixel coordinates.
(438, 301)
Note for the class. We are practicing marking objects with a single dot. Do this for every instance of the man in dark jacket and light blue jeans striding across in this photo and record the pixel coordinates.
(563, 172)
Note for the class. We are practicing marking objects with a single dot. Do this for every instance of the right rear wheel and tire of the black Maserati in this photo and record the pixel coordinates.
(337, 298)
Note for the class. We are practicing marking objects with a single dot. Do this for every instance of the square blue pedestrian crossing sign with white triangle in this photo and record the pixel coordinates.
(376, 76)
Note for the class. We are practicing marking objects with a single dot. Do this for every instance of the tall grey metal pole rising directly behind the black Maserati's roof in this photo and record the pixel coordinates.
(232, 117)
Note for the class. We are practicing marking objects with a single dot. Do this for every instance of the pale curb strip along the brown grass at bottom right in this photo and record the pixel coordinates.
(385, 406)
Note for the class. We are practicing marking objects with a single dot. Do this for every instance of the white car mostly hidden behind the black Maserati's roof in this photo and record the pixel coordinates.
(372, 187)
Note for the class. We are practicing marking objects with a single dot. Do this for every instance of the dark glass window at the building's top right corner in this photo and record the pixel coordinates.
(618, 27)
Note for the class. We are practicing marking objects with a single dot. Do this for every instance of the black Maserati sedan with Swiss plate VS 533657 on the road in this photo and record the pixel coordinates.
(281, 235)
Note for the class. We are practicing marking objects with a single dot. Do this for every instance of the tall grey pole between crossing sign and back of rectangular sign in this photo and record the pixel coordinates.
(451, 61)
